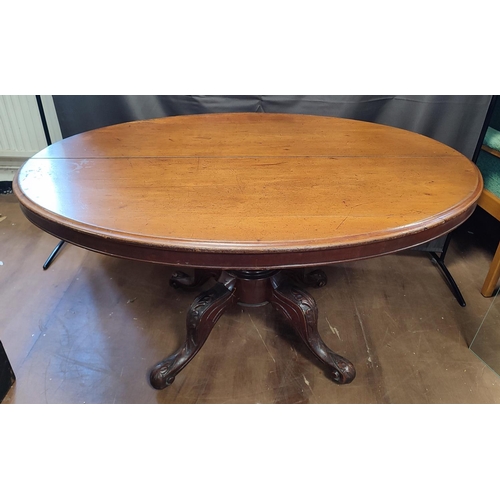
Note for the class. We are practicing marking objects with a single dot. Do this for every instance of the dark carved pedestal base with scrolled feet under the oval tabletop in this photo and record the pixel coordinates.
(254, 288)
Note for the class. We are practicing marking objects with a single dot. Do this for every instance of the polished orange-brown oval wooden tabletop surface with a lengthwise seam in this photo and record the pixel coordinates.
(255, 181)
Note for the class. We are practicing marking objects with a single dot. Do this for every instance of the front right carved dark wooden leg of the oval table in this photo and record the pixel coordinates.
(300, 309)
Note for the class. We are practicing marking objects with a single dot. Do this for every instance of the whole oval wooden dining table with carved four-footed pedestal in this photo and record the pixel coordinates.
(256, 202)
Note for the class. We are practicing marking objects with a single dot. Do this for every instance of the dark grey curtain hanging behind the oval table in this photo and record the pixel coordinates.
(453, 120)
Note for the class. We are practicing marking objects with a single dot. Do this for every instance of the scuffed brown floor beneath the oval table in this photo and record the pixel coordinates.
(88, 329)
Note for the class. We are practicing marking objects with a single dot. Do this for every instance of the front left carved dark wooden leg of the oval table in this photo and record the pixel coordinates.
(202, 316)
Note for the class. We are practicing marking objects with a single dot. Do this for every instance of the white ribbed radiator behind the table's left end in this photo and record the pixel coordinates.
(21, 130)
